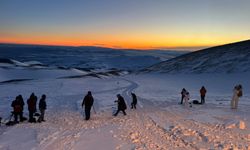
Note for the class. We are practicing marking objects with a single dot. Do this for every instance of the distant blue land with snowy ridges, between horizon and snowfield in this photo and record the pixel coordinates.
(32, 62)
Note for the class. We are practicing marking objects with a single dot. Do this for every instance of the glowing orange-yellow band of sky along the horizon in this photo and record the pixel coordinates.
(113, 42)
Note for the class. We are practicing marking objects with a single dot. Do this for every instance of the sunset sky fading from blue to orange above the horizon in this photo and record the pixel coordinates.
(169, 24)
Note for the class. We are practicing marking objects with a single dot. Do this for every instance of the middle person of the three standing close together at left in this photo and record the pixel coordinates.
(32, 107)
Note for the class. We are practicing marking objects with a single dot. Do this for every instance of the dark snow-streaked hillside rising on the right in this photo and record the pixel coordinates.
(230, 58)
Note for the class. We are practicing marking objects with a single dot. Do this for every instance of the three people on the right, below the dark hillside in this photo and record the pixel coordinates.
(237, 93)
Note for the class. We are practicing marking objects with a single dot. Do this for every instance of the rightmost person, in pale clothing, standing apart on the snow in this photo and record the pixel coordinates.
(237, 93)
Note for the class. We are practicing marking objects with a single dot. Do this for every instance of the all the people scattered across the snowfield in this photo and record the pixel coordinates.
(88, 101)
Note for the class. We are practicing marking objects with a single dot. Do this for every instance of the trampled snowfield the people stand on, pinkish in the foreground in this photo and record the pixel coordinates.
(158, 123)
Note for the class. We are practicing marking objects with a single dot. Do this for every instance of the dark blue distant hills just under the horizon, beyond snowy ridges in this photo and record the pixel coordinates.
(83, 57)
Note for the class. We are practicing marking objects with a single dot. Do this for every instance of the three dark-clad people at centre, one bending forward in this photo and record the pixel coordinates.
(88, 102)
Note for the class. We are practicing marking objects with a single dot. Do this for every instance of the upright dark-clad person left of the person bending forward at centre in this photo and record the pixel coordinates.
(88, 102)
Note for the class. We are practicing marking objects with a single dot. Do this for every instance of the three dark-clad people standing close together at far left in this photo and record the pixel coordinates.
(18, 107)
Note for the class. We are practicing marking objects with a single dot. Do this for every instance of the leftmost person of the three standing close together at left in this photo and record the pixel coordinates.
(17, 105)
